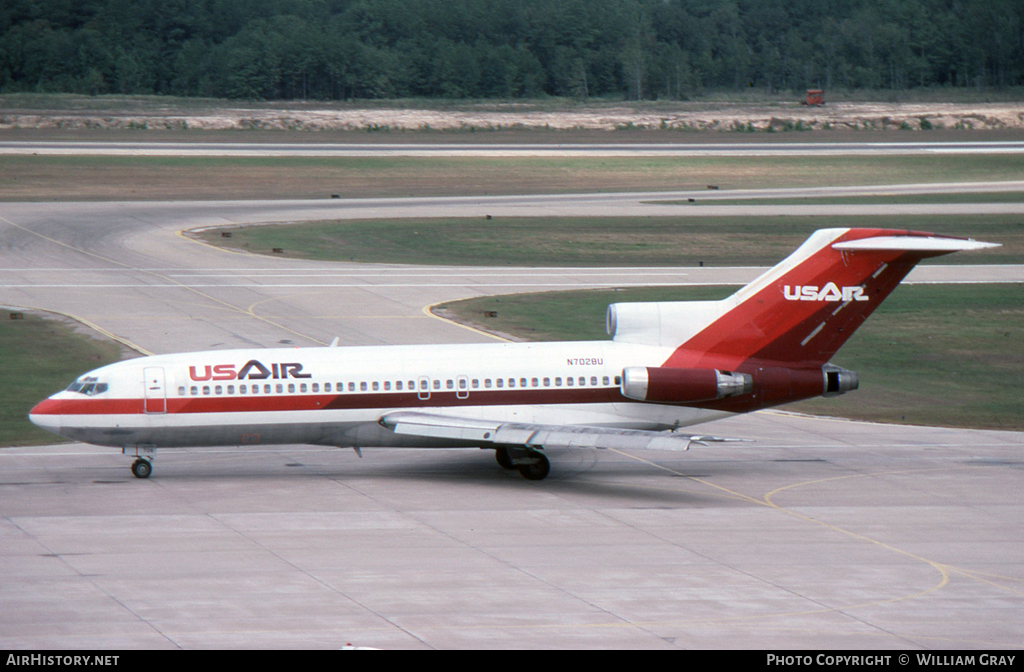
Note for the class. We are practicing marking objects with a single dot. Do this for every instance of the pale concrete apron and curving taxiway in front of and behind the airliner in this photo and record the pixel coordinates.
(823, 534)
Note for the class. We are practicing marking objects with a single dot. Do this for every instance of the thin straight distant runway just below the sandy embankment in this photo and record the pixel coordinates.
(174, 149)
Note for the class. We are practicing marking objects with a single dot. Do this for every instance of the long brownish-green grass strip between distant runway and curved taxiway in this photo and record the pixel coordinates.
(100, 179)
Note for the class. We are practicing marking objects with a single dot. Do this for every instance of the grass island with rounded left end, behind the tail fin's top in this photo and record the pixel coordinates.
(599, 241)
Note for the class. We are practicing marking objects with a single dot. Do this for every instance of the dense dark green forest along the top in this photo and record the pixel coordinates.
(637, 50)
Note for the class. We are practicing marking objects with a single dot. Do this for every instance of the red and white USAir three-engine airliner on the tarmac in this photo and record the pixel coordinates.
(669, 365)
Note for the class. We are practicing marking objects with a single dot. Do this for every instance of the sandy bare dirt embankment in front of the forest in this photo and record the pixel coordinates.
(722, 117)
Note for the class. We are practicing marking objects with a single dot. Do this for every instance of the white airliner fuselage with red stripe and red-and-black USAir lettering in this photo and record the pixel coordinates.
(336, 396)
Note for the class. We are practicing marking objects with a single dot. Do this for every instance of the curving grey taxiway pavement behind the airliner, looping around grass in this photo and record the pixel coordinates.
(126, 269)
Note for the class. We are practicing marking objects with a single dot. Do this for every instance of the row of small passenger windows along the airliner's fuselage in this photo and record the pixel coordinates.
(425, 386)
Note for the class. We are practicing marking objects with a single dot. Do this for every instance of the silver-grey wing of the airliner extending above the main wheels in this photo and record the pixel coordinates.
(540, 436)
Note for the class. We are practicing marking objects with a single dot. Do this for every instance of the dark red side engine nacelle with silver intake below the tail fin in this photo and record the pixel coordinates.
(684, 386)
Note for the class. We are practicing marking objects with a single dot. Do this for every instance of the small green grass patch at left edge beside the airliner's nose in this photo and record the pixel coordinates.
(41, 357)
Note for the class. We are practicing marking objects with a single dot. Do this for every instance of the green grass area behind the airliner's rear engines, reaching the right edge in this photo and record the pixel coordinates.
(931, 355)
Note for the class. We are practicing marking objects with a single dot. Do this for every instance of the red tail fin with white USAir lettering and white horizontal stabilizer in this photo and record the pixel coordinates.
(801, 312)
